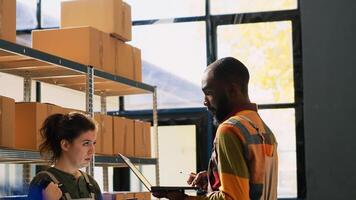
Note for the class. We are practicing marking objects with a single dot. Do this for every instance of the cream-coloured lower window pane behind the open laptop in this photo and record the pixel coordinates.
(173, 172)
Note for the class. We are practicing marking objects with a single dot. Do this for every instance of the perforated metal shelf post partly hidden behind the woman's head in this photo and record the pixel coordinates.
(89, 94)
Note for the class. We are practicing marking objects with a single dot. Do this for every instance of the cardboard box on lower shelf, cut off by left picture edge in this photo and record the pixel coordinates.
(7, 122)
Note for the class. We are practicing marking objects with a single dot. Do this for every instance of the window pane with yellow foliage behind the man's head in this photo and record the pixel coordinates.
(267, 50)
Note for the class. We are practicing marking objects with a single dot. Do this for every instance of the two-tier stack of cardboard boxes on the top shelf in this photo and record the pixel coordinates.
(94, 32)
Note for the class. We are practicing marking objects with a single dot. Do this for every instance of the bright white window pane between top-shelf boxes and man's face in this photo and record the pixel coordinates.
(174, 58)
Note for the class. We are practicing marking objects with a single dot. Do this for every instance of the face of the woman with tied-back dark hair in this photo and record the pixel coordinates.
(81, 150)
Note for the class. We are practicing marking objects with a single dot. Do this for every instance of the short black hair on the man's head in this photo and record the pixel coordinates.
(231, 70)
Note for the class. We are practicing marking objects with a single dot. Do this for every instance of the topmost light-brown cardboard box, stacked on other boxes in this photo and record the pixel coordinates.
(110, 16)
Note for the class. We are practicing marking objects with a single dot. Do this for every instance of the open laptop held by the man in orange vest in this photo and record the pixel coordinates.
(147, 184)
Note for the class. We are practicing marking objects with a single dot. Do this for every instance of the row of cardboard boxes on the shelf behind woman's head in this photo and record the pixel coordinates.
(20, 124)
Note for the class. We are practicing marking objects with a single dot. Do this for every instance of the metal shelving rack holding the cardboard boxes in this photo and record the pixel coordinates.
(35, 65)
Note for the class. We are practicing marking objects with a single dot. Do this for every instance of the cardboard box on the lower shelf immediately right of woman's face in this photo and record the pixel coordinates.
(104, 144)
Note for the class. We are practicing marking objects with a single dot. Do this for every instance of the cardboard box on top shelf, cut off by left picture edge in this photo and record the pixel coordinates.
(8, 20)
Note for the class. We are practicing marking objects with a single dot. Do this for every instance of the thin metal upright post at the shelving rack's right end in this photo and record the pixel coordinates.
(155, 133)
